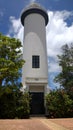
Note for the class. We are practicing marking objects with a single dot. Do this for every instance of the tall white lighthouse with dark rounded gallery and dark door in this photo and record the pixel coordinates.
(35, 70)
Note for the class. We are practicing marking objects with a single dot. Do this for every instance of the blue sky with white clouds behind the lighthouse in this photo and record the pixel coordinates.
(58, 31)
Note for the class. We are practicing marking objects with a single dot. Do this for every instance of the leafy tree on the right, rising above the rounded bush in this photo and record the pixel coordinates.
(65, 77)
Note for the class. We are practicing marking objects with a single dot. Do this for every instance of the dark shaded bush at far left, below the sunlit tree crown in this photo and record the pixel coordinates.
(7, 104)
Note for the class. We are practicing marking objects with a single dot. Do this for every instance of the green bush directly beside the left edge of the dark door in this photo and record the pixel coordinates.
(23, 105)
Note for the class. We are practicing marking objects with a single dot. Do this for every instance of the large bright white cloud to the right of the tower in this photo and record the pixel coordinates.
(58, 34)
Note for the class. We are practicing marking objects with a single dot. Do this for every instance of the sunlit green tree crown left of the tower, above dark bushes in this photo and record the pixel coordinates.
(10, 61)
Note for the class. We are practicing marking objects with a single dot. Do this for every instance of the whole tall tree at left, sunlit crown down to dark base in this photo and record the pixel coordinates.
(10, 73)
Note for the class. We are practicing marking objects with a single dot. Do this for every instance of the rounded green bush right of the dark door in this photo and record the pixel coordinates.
(59, 104)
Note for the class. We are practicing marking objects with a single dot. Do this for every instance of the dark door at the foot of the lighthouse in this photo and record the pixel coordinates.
(37, 103)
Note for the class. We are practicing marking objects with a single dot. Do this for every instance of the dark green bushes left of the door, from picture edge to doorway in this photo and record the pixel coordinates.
(14, 105)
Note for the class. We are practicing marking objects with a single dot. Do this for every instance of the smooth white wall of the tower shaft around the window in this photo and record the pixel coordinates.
(34, 44)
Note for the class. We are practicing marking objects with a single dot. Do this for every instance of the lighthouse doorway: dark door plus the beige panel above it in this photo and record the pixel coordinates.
(37, 104)
